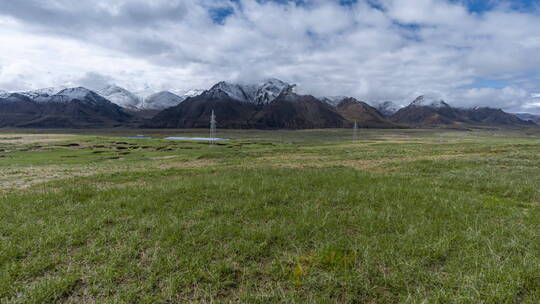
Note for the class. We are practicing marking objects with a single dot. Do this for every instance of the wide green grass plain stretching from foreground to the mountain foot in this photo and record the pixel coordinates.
(400, 216)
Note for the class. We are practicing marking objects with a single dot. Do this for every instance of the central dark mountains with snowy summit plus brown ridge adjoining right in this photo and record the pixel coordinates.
(270, 104)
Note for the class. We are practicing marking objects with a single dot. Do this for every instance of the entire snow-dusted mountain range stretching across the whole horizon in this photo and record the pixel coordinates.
(268, 104)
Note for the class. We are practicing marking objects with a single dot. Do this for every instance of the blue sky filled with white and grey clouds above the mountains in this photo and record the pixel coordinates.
(468, 52)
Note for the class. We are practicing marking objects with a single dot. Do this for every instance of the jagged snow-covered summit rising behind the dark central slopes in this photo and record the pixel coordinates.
(262, 93)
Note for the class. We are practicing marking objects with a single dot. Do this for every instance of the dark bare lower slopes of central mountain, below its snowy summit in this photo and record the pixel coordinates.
(288, 110)
